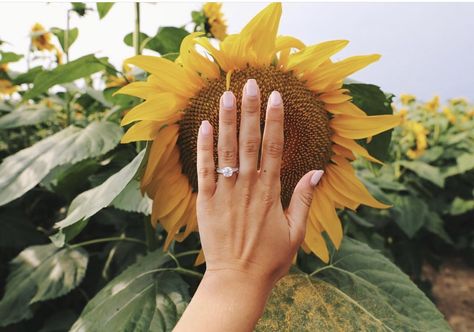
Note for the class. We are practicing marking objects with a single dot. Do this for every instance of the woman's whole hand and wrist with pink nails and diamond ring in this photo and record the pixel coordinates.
(249, 241)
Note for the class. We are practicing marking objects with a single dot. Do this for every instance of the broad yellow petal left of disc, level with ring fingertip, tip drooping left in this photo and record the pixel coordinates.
(159, 108)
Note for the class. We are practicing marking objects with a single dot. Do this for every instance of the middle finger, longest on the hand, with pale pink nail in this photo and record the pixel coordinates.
(249, 139)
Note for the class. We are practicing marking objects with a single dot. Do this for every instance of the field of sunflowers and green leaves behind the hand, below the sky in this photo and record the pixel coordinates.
(98, 180)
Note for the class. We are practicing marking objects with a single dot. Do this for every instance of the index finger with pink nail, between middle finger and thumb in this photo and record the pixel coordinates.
(272, 144)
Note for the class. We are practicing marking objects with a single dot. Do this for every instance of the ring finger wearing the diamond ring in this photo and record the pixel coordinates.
(227, 143)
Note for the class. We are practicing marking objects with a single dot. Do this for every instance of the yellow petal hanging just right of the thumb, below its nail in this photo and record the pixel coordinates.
(324, 211)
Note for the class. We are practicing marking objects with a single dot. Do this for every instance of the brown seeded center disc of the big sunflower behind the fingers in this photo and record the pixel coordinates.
(307, 135)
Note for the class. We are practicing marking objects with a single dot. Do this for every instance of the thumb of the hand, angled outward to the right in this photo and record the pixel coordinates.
(298, 209)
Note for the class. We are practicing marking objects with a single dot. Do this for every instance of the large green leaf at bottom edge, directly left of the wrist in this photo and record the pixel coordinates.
(139, 299)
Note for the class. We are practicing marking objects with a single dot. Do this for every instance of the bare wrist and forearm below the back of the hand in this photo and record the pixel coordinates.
(225, 302)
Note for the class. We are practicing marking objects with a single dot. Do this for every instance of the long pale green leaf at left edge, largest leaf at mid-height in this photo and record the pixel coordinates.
(25, 169)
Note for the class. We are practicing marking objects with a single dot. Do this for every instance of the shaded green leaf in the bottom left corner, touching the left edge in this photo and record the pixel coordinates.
(40, 273)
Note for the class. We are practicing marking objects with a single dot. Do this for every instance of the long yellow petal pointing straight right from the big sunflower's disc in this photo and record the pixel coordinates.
(357, 127)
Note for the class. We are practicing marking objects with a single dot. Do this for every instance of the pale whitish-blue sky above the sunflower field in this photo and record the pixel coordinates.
(427, 48)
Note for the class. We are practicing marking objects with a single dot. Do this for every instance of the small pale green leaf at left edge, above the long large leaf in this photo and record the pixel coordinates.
(26, 116)
